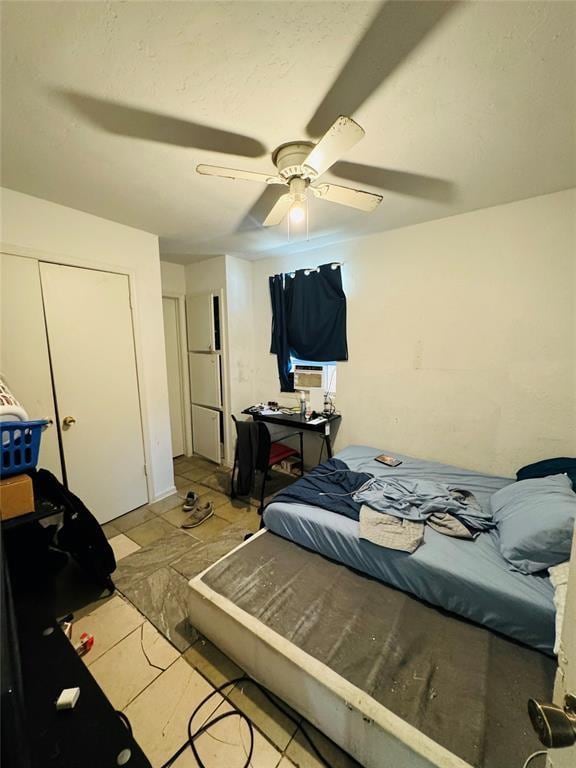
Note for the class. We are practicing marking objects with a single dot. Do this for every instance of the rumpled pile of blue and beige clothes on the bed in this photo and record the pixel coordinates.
(392, 511)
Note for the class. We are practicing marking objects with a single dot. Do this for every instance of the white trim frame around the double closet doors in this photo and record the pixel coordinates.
(67, 260)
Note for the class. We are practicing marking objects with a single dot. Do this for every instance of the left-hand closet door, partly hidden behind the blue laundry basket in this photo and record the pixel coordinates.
(24, 357)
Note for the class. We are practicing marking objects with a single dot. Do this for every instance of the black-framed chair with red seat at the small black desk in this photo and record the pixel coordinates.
(270, 451)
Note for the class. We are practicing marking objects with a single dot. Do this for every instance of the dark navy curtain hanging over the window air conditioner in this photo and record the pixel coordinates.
(308, 319)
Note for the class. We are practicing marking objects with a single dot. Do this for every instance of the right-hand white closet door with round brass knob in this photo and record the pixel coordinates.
(91, 342)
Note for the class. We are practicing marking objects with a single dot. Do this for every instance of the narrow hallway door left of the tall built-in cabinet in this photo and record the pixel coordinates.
(174, 369)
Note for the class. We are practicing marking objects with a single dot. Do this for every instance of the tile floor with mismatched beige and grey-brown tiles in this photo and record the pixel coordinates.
(154, 666)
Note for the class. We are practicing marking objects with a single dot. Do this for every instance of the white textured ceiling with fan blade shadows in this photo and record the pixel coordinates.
(475, 110)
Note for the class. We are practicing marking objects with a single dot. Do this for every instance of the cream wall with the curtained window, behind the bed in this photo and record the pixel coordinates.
(460, 332)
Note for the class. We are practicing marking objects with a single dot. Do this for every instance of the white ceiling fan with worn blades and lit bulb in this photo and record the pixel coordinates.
(299, 164)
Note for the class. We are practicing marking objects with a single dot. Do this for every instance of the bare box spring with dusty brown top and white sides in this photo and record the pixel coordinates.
(393, 681)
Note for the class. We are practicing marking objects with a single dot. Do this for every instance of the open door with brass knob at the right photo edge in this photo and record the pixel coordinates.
(566, 675)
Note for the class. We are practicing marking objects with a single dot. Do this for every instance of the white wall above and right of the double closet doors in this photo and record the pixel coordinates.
(50, 232)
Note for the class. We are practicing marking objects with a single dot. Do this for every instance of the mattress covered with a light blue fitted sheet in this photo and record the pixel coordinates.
(468, 578)
